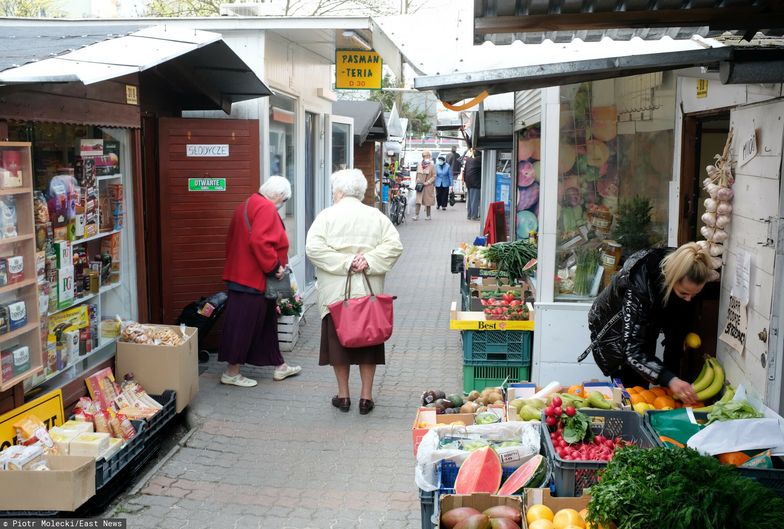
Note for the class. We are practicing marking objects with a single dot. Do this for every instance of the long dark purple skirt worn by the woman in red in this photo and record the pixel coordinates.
(250, 331)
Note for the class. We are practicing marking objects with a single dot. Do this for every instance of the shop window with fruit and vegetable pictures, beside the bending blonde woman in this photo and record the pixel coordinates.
(615, 166)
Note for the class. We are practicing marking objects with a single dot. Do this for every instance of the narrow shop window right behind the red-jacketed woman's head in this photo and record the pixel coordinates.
(283, 156)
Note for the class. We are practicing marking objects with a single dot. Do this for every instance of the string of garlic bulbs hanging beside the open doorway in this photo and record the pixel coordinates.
(718, 208)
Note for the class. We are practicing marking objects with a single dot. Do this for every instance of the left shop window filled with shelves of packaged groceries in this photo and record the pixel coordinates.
(80, 203)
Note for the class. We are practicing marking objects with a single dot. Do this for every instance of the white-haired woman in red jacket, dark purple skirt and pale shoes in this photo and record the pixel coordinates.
(256, 248)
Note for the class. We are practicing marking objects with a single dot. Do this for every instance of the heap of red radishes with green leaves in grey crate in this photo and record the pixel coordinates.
(572, 438)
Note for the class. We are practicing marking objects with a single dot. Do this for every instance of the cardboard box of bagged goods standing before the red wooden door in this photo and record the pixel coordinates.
(160, 367)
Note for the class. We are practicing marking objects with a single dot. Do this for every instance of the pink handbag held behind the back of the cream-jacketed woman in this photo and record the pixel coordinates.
(365, 321)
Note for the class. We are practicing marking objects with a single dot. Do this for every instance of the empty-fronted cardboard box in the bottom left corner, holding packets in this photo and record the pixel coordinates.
(67, 485)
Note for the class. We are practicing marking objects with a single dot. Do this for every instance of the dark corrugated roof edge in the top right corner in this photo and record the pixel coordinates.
(533, 21)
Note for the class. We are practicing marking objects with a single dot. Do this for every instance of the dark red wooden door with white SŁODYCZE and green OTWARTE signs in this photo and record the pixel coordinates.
(194, 224)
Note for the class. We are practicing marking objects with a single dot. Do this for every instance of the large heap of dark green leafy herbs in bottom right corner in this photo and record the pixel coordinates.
(679, 489)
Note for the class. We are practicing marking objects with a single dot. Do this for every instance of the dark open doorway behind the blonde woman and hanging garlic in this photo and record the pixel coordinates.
(704, 135)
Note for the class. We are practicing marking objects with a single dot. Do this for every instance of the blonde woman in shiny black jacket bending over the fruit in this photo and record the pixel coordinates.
(651, 294)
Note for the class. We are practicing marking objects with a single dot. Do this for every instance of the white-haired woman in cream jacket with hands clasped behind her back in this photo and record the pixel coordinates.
(350, 236)
